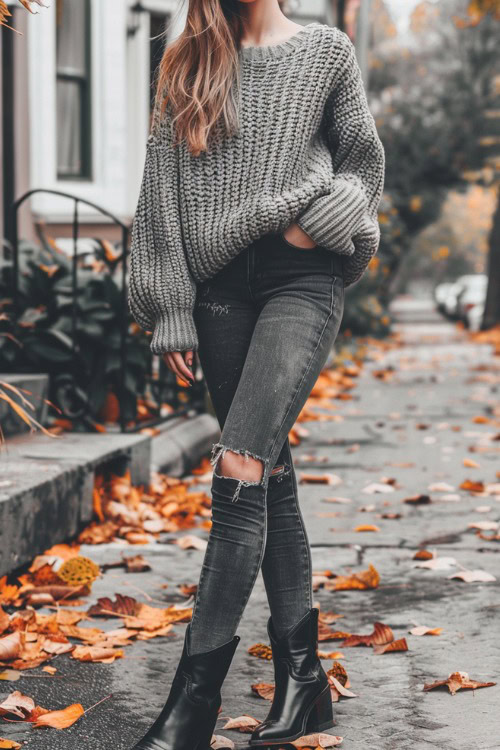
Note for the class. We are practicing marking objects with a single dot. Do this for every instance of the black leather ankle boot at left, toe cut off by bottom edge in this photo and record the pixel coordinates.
(188, 718)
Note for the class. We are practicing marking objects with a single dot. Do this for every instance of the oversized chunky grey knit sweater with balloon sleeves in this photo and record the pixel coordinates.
(306, 150)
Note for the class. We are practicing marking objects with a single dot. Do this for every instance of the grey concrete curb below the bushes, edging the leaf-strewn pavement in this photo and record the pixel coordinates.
(46, 484)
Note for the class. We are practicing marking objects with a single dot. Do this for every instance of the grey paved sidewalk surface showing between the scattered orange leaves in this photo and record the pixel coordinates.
(417, 426)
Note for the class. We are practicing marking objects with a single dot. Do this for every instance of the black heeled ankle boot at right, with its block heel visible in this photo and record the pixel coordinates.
(302, 701)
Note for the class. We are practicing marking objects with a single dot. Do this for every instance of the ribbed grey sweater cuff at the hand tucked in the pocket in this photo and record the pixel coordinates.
(331, 220)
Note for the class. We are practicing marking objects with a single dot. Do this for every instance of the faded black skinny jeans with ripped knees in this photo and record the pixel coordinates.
(266, 323)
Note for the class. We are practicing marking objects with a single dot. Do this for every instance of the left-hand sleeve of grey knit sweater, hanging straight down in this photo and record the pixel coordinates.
(161, 290)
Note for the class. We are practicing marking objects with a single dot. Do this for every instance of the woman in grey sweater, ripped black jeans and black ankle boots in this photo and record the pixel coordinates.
(258, 205)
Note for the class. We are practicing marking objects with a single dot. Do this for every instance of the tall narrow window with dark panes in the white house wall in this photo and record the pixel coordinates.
(73, 89)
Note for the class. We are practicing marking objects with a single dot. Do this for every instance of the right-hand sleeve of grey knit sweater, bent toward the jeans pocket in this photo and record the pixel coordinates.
(345, 219)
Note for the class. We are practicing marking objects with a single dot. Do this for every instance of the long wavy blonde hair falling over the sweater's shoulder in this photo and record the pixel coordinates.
(198, 77)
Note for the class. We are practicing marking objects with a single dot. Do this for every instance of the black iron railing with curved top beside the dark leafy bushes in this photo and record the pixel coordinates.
(161, 382)
